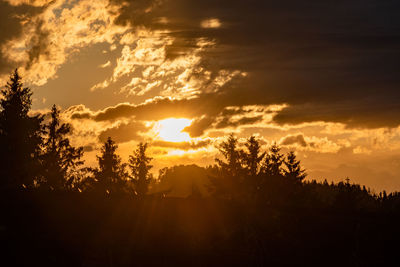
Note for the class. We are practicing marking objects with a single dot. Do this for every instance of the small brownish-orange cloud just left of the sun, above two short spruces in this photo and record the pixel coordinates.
(124, 132)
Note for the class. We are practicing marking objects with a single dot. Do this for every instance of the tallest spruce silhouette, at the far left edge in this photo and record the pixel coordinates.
(20, 136)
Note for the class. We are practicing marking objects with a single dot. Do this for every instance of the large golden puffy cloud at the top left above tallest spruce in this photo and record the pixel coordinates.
(49, 37)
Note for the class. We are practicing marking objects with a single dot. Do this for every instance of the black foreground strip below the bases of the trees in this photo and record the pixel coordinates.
(68, 229)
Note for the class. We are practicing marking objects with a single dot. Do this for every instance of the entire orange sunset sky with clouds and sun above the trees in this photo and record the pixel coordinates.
(319, 77)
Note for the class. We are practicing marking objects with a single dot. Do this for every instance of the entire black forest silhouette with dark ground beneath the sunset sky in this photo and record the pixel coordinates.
(251, 208)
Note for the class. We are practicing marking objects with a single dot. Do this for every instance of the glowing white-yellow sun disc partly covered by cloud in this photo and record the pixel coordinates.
(171, 129)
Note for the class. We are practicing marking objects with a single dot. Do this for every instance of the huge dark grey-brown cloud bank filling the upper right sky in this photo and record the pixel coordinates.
(315, 55)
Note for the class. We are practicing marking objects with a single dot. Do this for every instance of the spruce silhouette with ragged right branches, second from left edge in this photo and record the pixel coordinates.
(59, 157)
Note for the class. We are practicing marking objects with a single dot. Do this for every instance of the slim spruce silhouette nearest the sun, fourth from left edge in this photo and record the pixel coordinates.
(139, 165)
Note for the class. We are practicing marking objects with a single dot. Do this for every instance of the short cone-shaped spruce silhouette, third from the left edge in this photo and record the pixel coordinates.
(110, 176)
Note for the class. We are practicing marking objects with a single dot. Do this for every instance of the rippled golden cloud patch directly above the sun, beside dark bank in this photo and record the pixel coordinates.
(143, 60)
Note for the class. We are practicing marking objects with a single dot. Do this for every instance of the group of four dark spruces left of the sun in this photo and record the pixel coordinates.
(39, 156)
